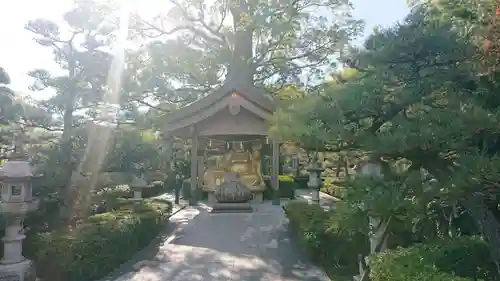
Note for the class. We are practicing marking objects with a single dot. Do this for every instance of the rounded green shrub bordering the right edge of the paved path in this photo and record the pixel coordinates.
(321, 235)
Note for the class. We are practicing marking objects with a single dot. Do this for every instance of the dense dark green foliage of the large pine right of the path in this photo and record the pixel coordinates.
(421, 94)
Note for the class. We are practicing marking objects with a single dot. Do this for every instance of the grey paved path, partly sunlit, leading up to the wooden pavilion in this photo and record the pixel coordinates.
(227, 247)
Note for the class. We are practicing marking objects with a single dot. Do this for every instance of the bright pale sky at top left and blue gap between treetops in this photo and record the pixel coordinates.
(20, 54)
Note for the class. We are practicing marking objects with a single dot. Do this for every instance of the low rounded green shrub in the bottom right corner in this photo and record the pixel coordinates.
(459, 259)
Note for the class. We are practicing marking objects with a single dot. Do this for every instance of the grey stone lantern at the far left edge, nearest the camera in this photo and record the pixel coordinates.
(16, 202)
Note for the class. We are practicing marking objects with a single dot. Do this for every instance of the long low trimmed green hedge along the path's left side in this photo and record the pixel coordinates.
(95, 248)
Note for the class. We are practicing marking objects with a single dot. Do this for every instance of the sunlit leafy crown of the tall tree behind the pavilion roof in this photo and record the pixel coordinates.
(276, 31)
